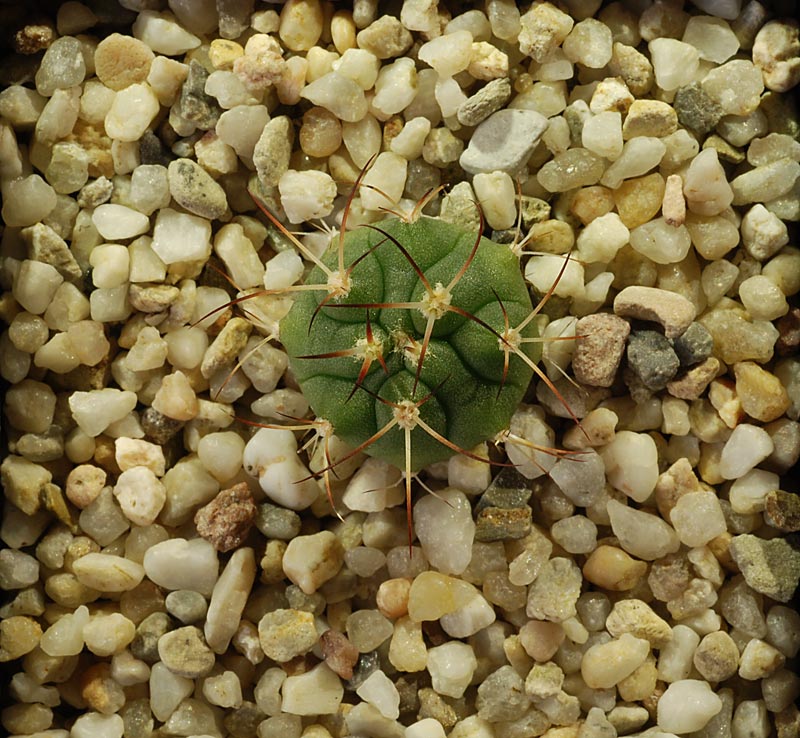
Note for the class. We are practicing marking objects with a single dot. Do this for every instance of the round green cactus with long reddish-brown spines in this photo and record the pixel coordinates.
(418, 343)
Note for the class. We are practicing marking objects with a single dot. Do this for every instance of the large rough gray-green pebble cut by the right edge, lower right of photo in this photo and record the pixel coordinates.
(771, 567)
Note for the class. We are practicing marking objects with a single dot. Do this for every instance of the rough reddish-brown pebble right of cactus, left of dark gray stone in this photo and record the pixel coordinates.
(599, 347)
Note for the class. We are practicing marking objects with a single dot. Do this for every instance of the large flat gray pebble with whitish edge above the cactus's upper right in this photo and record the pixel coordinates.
(504, 141)
